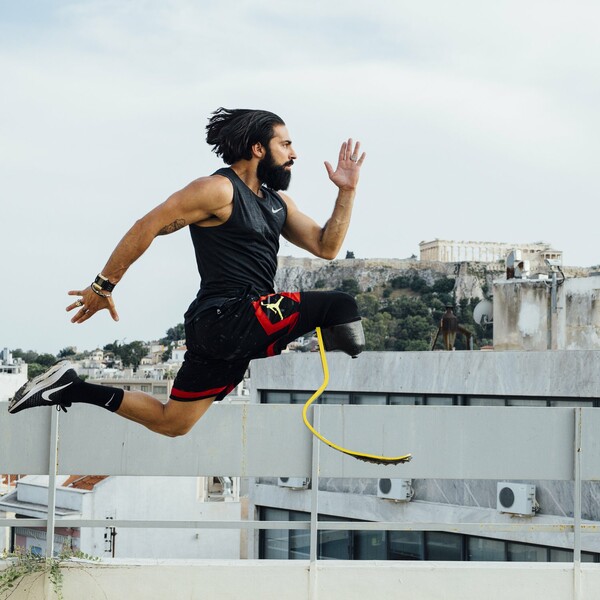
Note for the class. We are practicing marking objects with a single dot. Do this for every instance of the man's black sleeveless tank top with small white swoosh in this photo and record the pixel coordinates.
(240, 254)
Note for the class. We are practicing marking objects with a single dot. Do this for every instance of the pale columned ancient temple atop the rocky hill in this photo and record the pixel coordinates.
(455, 251)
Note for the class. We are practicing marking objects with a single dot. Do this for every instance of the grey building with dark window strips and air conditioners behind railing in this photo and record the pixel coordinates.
(461, 380)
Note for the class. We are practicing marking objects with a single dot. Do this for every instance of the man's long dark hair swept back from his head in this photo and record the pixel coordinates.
(232, 133)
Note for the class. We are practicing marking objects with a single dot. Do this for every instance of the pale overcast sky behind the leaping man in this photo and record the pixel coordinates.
(480, 121)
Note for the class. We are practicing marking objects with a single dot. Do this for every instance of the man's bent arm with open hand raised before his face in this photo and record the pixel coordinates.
(326, 241)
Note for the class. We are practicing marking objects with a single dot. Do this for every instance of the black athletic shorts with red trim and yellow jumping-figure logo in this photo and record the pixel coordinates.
(225, 334)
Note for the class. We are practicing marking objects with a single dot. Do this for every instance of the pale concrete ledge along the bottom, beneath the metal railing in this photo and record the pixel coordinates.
(330, 580)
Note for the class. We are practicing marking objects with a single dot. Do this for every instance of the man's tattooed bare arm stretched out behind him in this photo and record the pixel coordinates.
(199, 201)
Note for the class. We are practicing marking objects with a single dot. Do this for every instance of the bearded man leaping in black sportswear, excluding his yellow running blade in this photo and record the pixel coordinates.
(235, 217)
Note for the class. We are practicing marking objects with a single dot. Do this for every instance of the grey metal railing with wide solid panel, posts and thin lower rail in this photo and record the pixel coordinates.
(447, 443)
